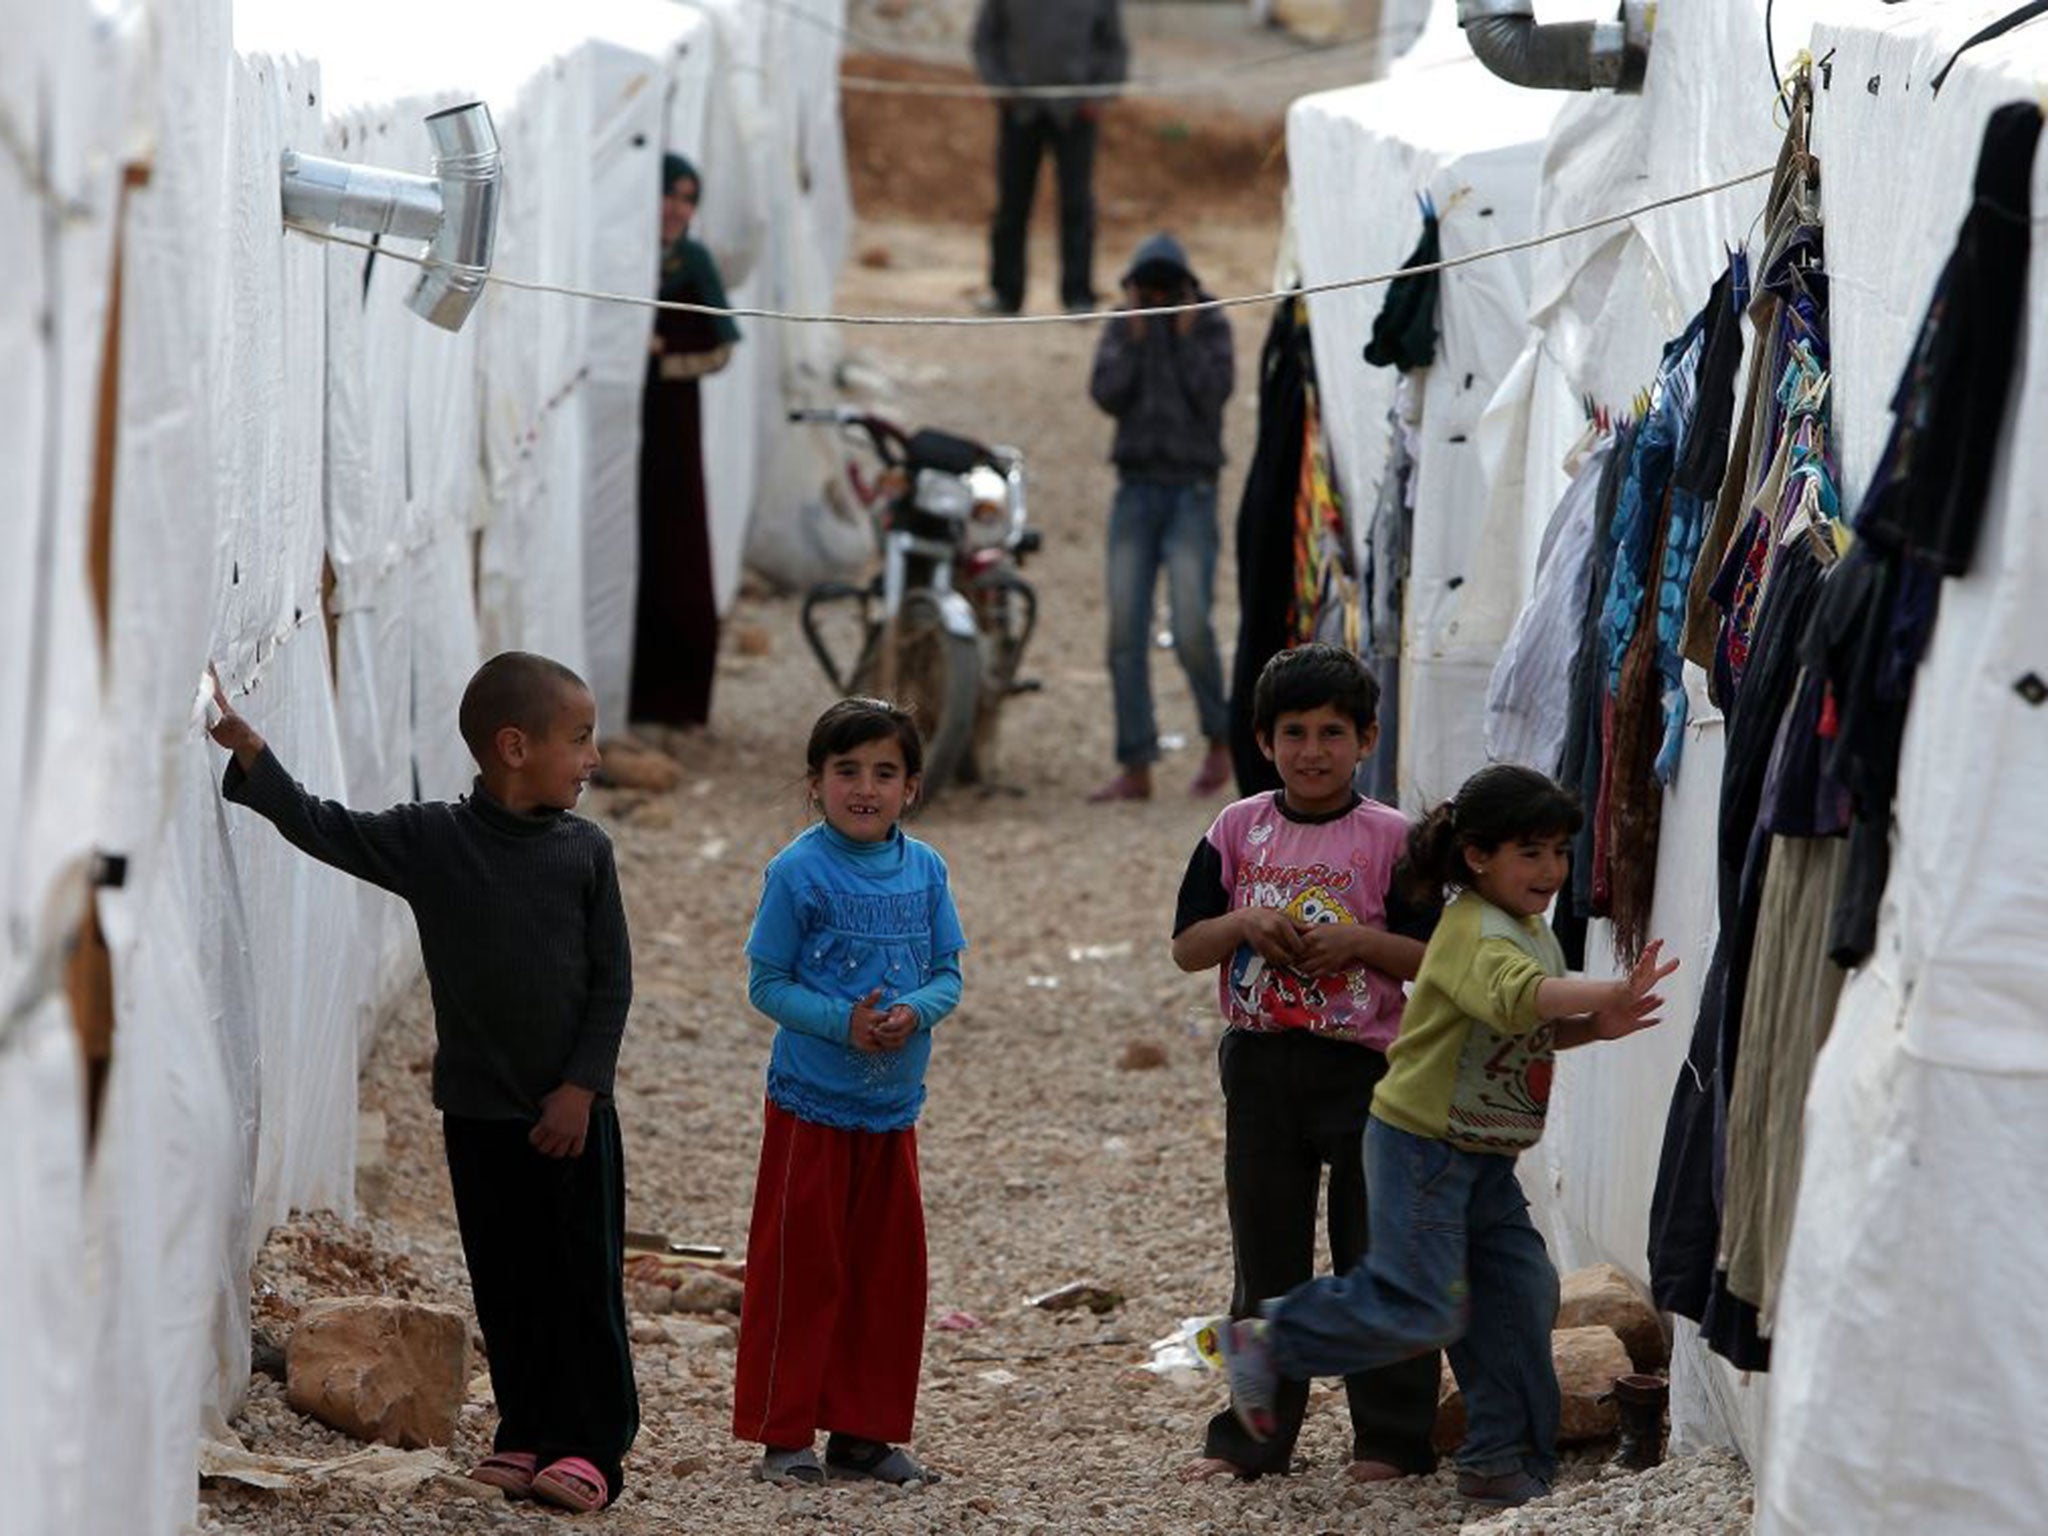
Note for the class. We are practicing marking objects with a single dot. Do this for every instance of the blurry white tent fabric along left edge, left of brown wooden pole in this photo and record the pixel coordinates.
(56, 247)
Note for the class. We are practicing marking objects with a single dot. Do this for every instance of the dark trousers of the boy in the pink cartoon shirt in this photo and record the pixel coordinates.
(1293, 1105)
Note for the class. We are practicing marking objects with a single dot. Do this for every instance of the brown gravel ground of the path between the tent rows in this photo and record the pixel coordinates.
(1043, 1158)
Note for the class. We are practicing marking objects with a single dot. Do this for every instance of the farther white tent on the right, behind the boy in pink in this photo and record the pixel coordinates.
(1359, 159)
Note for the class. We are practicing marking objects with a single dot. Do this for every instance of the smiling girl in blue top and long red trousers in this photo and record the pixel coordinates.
(855, 955)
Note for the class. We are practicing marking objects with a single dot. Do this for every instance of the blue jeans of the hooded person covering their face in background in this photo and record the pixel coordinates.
(1156, 525)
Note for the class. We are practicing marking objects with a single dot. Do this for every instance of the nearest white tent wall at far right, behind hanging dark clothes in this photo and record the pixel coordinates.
(1914, 1338)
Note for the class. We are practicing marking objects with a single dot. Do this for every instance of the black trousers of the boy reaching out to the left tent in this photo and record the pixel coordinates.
(546, 1246)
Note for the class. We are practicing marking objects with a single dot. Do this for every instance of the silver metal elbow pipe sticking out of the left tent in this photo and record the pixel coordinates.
(456, 210)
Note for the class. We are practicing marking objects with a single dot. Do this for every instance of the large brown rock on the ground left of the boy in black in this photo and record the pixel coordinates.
(380, 1369)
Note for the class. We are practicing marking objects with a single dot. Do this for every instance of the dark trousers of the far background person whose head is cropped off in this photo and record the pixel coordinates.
(1023, 136)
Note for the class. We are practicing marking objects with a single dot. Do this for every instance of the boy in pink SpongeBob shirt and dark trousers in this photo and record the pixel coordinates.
(1293, 900)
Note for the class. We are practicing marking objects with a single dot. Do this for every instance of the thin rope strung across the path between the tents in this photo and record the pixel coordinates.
(1093, 318)
